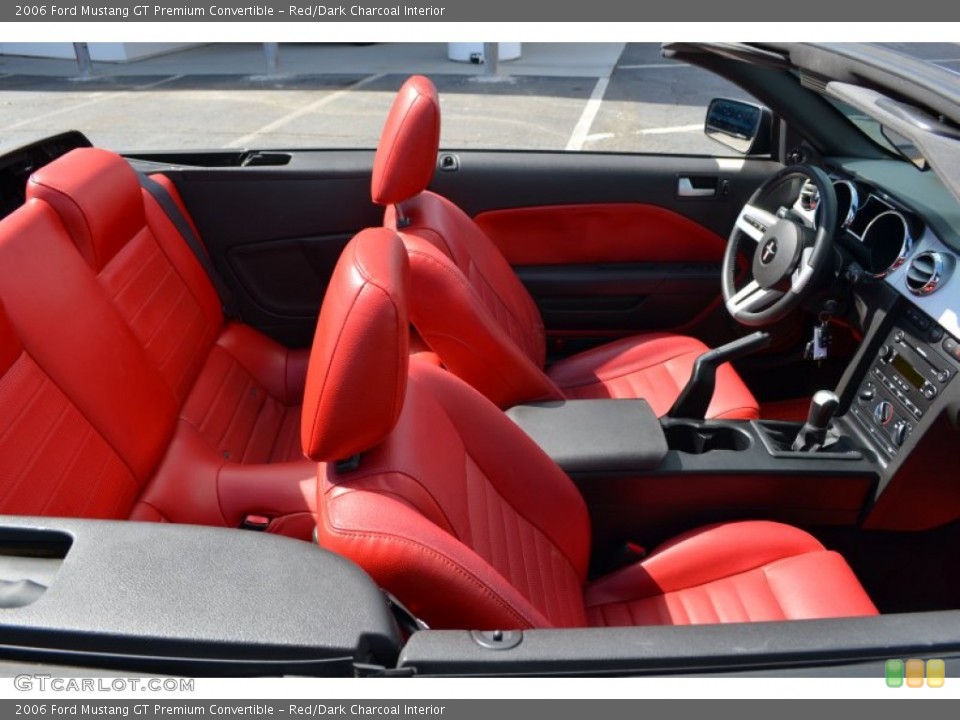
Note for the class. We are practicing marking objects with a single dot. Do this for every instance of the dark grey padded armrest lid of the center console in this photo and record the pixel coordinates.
(595, 435)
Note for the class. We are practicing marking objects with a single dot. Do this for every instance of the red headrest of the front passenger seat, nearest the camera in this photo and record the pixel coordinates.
(357, 378)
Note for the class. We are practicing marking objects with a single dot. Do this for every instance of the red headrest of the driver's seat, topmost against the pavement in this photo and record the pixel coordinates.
(407, 153)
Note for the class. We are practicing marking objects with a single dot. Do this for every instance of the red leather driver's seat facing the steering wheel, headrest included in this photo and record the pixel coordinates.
(473, 312)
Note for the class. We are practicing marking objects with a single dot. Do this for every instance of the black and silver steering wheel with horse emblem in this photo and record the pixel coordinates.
(786, 229)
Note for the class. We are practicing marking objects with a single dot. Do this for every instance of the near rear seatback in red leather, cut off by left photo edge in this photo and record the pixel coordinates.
(77, 437)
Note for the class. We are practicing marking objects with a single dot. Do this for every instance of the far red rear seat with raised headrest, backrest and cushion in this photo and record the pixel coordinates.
(238, 389)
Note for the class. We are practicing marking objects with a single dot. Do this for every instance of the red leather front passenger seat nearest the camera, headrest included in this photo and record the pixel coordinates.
(431, 489)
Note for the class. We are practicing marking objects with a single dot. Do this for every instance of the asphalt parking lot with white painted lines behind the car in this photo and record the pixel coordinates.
(590, 96)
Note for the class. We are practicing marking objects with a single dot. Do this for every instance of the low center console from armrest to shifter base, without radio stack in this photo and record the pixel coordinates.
(646, 479)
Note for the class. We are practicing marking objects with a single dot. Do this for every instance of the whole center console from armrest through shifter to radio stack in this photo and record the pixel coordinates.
(870, 455)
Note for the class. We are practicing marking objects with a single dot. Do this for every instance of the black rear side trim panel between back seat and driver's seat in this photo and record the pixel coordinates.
(275, 233)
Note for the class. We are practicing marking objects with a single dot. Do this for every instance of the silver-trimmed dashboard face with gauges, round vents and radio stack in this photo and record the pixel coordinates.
(917, 354)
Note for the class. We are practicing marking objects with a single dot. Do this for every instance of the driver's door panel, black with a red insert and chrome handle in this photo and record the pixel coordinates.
(610, 245)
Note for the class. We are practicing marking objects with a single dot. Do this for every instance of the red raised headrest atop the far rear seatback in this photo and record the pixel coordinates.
(98, 197)
